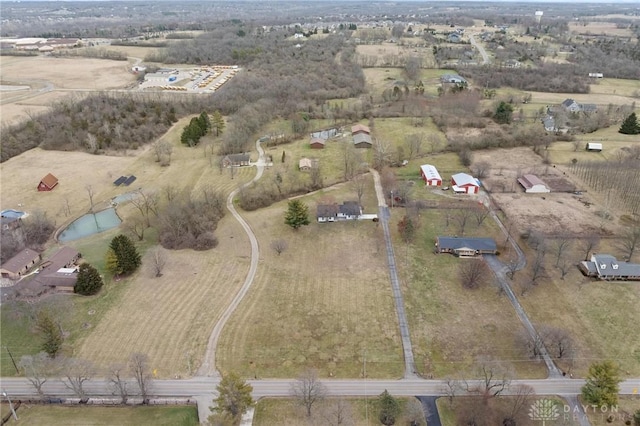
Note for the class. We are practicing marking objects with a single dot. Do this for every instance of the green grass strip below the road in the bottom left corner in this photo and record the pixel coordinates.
(42, 415)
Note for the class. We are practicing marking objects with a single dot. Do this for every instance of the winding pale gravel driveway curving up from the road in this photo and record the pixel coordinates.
(208, 367)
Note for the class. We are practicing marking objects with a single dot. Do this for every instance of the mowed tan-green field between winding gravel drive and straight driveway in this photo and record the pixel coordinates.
(324, 303)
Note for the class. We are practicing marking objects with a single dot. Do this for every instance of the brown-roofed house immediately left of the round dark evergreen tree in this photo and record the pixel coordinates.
(60, 271)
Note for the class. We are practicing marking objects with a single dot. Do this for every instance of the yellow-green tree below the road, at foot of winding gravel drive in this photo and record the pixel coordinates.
(234, 398)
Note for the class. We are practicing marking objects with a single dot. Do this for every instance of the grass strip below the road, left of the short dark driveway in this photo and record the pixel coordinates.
(288, 412)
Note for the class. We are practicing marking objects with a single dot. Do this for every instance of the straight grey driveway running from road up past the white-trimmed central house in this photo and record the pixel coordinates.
(409, 363)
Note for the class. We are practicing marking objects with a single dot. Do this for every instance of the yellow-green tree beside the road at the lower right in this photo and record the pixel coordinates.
(602, 384)
